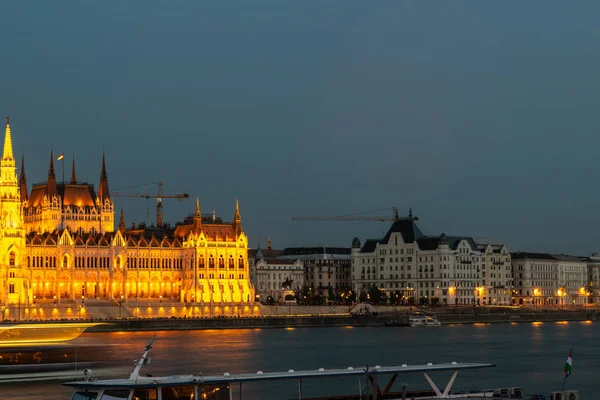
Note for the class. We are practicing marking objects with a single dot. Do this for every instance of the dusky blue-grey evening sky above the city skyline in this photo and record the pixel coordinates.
(483, 117)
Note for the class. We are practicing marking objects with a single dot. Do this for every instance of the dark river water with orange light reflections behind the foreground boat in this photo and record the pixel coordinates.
(527, 355)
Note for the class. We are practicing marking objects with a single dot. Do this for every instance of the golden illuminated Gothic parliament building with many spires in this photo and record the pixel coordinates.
(59, 242)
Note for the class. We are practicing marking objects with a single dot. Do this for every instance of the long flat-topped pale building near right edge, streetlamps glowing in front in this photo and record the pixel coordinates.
(549, 279)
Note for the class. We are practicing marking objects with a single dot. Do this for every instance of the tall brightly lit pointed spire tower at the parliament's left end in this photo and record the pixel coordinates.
(13, 288)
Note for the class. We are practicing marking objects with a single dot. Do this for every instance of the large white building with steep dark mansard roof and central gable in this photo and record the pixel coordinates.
(419, 268)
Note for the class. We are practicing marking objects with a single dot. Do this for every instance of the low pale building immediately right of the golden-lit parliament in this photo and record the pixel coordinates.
(273, 274)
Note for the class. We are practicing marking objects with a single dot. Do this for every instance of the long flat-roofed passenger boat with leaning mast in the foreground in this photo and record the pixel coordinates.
(219, 387)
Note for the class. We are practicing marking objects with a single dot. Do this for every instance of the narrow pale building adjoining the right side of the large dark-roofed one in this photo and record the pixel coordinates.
(496, 274)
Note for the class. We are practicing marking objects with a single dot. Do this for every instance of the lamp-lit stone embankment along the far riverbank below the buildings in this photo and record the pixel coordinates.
(177, 316)
